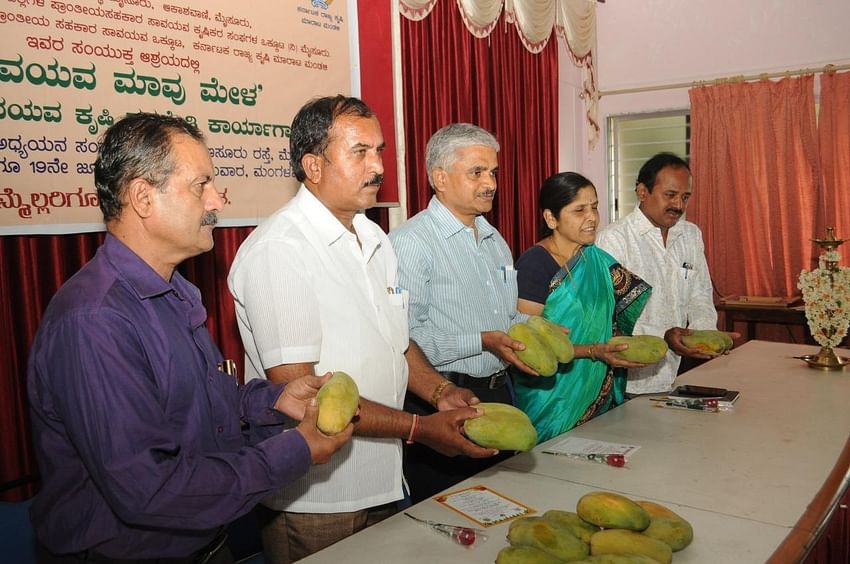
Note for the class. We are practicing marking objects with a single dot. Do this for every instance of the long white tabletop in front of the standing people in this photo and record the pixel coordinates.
(743, 478)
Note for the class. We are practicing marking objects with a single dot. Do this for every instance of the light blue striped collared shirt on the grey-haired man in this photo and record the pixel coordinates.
(459, 287)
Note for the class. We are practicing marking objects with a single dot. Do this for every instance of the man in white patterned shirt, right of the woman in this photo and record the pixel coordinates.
(667, 251)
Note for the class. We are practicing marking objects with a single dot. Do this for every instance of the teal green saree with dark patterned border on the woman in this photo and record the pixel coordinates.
(591, 295)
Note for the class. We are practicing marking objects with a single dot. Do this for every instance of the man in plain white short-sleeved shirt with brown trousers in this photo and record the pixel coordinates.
(315, 291)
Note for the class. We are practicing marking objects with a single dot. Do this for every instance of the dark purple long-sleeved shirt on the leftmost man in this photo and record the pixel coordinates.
(136, 430)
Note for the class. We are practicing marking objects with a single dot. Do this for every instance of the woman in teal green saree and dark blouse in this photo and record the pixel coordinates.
(568, 280)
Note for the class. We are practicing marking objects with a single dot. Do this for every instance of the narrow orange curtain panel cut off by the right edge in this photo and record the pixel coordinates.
(834, 134)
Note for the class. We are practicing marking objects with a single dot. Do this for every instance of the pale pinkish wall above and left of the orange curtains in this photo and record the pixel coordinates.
(651, 42)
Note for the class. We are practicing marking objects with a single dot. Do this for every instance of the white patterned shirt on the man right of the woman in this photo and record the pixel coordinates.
(681, 286)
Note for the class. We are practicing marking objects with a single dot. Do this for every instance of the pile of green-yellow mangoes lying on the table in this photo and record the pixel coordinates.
(607, 528)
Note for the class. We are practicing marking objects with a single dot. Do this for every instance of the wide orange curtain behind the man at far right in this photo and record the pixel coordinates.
(754, 159)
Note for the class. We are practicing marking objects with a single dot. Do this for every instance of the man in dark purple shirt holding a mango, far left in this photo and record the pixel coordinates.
(146, 448)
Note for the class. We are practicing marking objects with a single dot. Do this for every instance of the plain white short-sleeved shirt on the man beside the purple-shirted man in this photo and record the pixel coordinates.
(307, 292)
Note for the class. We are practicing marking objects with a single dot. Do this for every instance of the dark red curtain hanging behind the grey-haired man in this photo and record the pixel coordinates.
(450, 76)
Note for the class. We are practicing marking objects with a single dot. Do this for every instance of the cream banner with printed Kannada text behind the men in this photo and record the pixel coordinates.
(238, 70)
